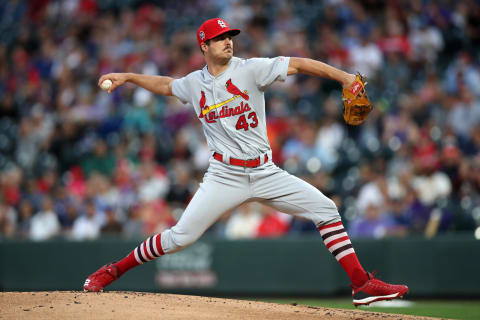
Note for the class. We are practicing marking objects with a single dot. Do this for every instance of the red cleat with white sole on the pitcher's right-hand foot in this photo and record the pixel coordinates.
(376, 290)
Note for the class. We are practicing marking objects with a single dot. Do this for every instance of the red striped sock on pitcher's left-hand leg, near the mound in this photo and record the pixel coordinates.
(146, 251)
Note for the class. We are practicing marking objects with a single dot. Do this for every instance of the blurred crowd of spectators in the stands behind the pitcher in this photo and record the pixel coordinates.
(79, 163)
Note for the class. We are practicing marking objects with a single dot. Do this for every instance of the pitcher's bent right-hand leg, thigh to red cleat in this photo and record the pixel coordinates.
(292, 195)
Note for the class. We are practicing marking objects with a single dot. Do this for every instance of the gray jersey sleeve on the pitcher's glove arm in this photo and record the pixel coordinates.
(268, 70)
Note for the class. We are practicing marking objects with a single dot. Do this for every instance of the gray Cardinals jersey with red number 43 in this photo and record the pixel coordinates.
(231, 105)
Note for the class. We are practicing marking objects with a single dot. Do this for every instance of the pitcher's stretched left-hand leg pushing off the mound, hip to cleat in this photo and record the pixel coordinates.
(216, 195)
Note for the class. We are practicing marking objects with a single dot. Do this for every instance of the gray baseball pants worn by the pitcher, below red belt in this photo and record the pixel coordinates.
(225, 187)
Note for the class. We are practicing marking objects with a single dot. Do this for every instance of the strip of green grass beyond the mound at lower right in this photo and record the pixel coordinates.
(461, 309)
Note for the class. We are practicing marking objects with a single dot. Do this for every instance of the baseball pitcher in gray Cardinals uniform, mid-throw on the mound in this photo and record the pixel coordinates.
(228, 97)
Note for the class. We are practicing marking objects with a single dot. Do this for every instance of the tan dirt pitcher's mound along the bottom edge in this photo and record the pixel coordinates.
(139, 305)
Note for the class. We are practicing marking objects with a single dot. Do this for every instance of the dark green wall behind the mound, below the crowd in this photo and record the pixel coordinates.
(444, 266)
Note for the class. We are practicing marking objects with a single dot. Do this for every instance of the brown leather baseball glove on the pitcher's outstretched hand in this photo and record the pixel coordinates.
(356, 105)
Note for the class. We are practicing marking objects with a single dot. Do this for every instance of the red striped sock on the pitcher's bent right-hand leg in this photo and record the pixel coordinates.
(338, 243)
